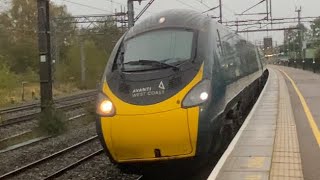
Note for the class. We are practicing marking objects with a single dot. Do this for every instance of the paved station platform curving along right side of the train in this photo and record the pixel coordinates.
(280, 138)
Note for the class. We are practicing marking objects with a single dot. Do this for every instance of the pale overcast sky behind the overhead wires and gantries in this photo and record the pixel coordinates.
(281, 8)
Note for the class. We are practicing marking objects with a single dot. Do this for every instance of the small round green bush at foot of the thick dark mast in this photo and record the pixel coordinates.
(52, 122)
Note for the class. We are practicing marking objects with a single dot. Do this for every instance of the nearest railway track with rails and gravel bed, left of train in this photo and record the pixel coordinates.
(84, 159)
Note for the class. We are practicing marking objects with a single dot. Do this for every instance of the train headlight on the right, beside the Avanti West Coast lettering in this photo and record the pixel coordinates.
(198, 94)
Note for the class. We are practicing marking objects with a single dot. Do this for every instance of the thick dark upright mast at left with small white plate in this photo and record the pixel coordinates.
(44, 54)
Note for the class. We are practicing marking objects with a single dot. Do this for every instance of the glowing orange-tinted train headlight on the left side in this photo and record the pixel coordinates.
(104, 106)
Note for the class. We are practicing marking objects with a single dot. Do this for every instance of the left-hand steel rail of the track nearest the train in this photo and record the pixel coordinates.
(37, 162)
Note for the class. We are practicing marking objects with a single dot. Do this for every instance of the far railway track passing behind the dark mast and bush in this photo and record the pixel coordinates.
(30, 111)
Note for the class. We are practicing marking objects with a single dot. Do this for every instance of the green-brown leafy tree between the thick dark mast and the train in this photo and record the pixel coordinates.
(98, 42)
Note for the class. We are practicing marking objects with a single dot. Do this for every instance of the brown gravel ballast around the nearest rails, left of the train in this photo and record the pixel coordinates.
(98, 167)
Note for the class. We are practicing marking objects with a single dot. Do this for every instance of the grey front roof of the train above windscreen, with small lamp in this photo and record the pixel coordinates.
(172, 18)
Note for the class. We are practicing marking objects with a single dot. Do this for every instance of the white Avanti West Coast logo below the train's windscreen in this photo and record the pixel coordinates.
(149, 91)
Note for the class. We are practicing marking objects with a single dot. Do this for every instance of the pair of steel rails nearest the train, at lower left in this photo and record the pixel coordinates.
(45, 160)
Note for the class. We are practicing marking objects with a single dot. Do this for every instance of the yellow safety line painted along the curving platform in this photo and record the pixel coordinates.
(306, 109)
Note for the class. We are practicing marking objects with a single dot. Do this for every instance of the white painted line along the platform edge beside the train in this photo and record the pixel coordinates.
(226, 154)
